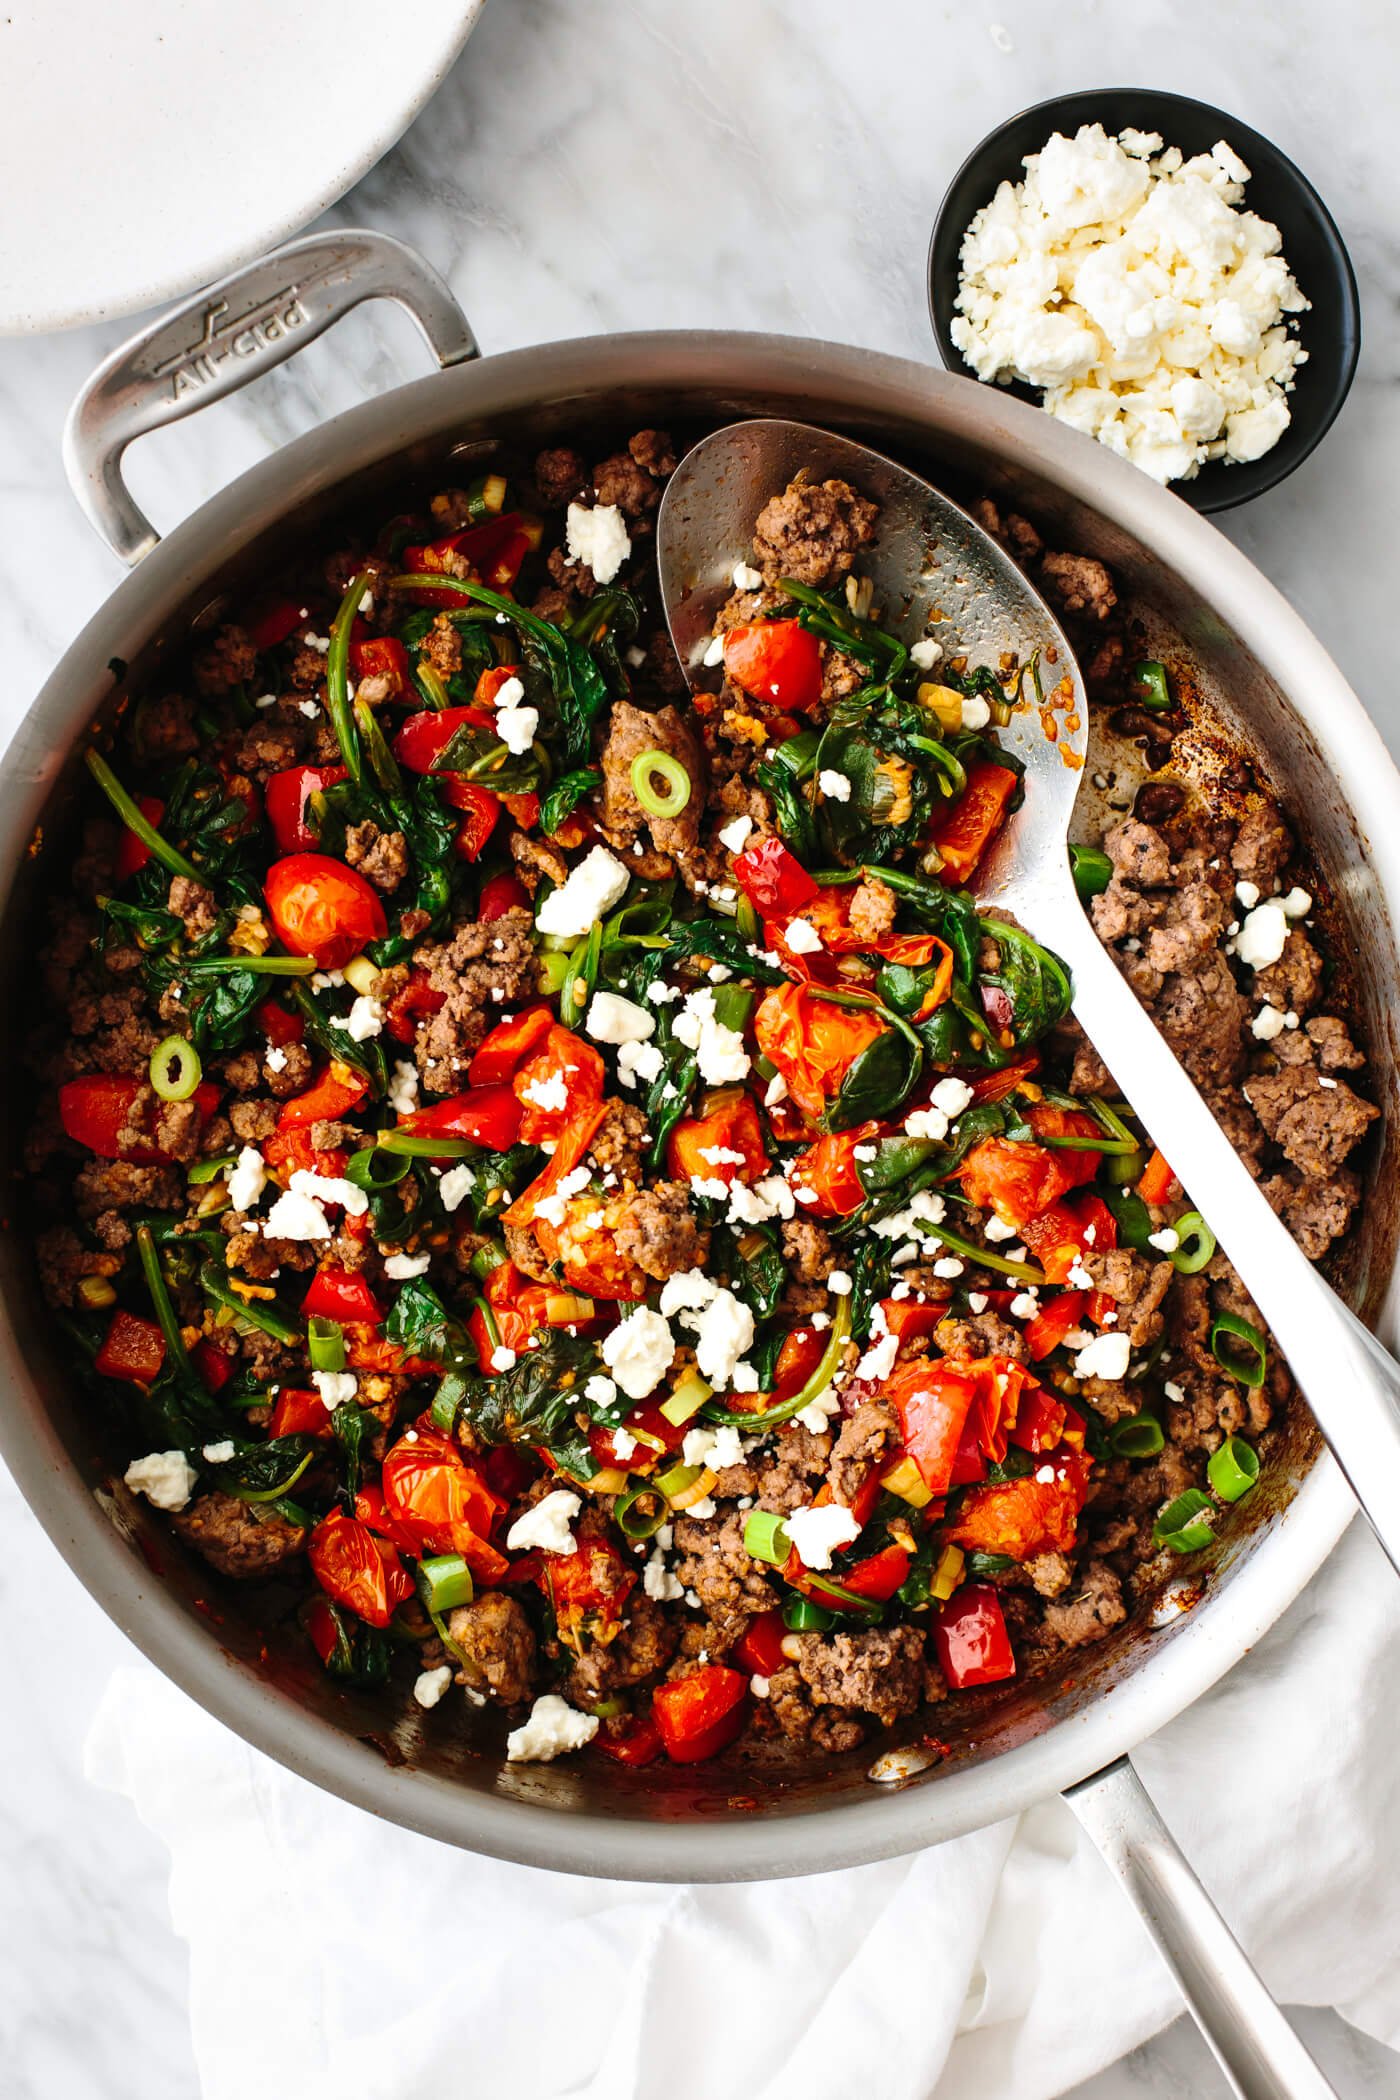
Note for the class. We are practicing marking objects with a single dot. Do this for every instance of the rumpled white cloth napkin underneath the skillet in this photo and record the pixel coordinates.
(335, 1954)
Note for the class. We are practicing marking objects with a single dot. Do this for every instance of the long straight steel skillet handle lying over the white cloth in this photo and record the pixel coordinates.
(1246, 2030)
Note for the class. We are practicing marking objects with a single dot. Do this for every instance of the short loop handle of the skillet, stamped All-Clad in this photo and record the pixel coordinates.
(228, 335)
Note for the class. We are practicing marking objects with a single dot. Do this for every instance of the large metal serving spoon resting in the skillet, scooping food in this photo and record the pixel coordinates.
(937, 572)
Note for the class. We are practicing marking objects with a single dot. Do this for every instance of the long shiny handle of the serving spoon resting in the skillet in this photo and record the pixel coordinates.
(1349, 1379)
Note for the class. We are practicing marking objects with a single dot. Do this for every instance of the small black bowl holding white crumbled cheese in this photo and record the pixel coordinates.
(1311, 243)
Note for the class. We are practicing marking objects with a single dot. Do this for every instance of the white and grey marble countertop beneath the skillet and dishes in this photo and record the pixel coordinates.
(752, 165)
